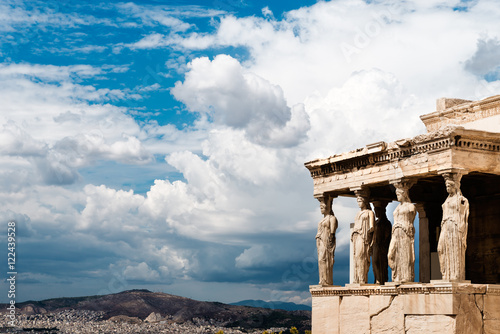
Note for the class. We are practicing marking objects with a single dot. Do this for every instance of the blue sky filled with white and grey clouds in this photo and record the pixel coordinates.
(161, 144)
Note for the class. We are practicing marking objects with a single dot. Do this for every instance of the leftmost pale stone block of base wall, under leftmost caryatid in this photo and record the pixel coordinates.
(326, 315)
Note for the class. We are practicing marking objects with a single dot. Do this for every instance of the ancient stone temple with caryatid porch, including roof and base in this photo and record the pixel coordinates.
(450, 177)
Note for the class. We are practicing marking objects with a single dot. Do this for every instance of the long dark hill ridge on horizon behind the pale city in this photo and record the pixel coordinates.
(141, 303)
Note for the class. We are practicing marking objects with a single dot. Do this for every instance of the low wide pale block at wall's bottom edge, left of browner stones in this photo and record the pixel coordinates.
(429, 324)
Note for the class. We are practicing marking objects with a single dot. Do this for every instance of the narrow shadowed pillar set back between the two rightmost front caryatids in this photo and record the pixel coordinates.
(424, 245)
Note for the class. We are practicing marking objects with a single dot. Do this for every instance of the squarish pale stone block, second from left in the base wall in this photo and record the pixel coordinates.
(354, 315)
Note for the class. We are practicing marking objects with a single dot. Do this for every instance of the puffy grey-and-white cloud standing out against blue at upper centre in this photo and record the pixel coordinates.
(241, 100)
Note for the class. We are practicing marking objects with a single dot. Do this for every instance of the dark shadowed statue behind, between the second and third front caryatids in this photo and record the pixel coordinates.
(381, 240)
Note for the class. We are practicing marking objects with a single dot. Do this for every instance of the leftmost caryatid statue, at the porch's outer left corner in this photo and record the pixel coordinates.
(326, 242)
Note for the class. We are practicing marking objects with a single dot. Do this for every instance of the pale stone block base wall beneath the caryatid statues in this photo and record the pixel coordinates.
(446, 308)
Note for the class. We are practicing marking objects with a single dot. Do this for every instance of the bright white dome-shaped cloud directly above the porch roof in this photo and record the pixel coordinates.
(365, 109)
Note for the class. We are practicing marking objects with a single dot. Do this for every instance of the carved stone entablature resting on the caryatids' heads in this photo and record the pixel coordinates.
(426, 155)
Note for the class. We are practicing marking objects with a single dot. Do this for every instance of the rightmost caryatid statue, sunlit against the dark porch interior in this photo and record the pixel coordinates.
(453, 237)
